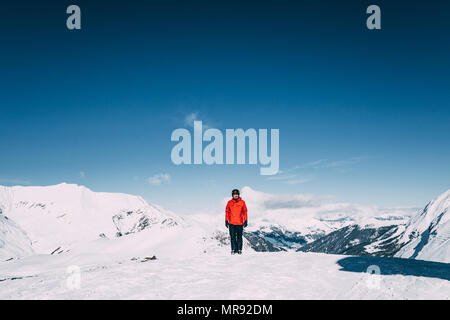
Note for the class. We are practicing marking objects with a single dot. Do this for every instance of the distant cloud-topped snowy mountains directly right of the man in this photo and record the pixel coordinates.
(290, 221)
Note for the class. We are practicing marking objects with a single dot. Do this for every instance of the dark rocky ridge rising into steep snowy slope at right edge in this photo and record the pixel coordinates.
(426, 236)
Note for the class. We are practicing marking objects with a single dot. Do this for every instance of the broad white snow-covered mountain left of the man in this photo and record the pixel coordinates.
(58, 217)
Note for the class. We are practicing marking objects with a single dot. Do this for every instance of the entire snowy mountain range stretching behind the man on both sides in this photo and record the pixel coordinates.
(56, 219)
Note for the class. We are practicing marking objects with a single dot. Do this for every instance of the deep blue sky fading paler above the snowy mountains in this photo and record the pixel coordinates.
(363, 115)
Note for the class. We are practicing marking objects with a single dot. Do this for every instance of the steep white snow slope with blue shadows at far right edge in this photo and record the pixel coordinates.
(427, 235)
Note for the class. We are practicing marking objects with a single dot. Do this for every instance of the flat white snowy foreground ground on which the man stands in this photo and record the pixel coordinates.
(280, 275)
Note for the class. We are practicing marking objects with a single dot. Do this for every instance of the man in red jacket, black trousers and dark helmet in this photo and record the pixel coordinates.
(236, 220)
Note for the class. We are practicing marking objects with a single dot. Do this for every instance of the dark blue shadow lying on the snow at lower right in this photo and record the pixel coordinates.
(393, 266)
